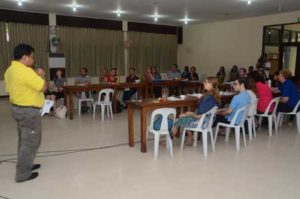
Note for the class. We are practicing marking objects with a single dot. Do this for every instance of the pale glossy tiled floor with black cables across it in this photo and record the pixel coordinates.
(267, 168)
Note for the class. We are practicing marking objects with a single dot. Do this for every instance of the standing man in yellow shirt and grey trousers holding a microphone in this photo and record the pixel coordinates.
(25, 87)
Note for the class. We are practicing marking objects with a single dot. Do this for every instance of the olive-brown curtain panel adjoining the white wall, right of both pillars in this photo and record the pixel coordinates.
(151, 49)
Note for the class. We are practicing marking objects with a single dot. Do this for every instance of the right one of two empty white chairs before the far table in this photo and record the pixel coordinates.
(105, 98)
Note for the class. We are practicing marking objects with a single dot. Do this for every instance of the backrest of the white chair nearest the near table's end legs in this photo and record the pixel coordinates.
(165, 113)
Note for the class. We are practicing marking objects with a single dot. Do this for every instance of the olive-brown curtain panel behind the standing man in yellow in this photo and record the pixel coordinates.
(35, 35)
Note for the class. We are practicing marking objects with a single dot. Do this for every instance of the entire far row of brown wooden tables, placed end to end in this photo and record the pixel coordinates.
(144, 90)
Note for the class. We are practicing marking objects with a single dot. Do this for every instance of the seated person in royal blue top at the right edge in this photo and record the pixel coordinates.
(288, 91)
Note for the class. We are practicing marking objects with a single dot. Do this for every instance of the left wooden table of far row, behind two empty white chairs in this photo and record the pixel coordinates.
(71, 90)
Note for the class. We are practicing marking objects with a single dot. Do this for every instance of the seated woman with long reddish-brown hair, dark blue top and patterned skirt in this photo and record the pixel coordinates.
(208, 101)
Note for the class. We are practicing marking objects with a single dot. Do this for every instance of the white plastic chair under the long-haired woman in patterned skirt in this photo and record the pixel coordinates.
(204, 131)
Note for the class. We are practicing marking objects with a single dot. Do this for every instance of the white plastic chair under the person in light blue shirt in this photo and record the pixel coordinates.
(236, 127)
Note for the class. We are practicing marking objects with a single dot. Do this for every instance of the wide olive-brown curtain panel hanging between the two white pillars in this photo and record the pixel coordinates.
(95, 49)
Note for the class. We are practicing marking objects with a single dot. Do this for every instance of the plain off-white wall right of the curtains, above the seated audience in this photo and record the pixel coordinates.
(210, 45)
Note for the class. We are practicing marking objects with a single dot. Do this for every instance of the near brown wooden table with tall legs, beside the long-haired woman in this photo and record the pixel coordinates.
(147, 105)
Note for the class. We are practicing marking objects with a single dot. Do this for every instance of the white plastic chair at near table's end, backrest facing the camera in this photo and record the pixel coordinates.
(165, 113)
